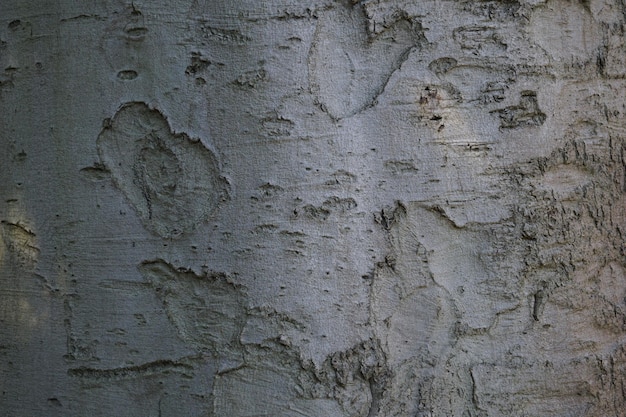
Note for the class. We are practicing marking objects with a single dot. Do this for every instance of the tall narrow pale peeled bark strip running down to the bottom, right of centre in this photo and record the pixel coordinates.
(412, 314)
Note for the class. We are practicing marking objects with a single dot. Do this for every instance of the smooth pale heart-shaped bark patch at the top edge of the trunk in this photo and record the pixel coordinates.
(349, 68)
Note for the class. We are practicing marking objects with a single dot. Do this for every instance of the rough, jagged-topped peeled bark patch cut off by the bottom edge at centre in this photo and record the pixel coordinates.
(276, 381)
